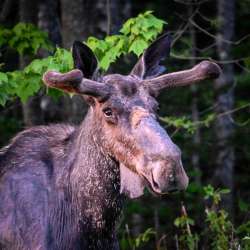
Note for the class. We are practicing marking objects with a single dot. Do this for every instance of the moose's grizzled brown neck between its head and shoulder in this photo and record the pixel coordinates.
(94, 178)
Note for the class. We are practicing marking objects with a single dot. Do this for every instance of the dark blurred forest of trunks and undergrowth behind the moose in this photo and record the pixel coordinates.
(209, 121)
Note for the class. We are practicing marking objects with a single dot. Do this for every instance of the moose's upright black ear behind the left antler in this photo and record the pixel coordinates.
(84, 59)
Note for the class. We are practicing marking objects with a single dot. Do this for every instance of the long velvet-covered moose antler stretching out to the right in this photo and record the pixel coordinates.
(202, 71)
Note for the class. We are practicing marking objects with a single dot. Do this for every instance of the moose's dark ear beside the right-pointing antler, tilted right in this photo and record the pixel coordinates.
(148, 65)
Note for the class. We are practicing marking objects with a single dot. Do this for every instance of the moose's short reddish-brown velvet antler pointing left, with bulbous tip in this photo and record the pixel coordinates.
(74, 82)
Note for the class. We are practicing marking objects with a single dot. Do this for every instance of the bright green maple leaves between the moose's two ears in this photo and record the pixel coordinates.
(135, 36)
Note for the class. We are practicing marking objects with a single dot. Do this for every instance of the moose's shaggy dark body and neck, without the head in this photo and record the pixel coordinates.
(51, 190)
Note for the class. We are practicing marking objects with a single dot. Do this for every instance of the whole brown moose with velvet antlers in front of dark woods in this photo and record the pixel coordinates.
(62, 187)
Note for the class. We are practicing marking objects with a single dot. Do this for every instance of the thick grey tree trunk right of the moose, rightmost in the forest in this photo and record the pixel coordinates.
(224, 129)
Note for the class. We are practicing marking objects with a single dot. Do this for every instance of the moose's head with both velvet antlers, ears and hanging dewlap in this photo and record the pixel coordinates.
(124, 108)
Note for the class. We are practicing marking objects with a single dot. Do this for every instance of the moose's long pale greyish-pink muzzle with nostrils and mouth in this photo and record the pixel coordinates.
(160, 161)
